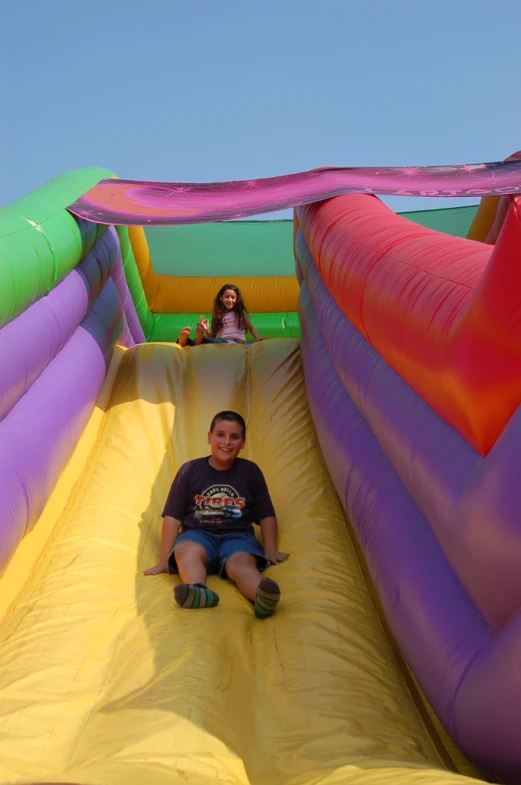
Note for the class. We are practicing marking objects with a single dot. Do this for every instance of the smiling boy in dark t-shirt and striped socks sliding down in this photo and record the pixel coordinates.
(216, 500)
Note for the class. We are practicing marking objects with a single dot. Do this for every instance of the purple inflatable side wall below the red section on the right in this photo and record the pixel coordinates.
(423, 504)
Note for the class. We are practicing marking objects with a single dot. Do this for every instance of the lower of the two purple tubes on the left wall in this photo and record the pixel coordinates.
(39, 434)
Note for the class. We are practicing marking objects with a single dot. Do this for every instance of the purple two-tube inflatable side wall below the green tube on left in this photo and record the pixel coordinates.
(55, 355)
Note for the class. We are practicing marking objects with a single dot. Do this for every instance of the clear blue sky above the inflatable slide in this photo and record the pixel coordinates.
(205, 90)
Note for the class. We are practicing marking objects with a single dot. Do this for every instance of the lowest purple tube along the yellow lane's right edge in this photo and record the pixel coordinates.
(471, 678)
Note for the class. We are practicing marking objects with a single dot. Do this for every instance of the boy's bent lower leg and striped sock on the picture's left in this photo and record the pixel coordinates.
(191, 559)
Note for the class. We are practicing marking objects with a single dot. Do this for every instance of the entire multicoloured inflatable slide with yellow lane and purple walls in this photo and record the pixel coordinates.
(385, 413)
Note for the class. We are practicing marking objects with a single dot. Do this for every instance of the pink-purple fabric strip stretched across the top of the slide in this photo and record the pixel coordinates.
(115, 201)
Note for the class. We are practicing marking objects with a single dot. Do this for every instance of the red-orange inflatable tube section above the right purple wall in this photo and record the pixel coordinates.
(444, 312)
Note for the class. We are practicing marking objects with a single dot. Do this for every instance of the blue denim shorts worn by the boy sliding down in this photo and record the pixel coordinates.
(219, 548)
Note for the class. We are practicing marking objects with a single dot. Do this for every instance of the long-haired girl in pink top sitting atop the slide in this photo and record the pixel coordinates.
(230, 320)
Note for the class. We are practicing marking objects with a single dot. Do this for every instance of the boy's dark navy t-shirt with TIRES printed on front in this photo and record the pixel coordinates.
(206, 499)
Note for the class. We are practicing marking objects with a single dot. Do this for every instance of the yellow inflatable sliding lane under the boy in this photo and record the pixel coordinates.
(104, 680)
